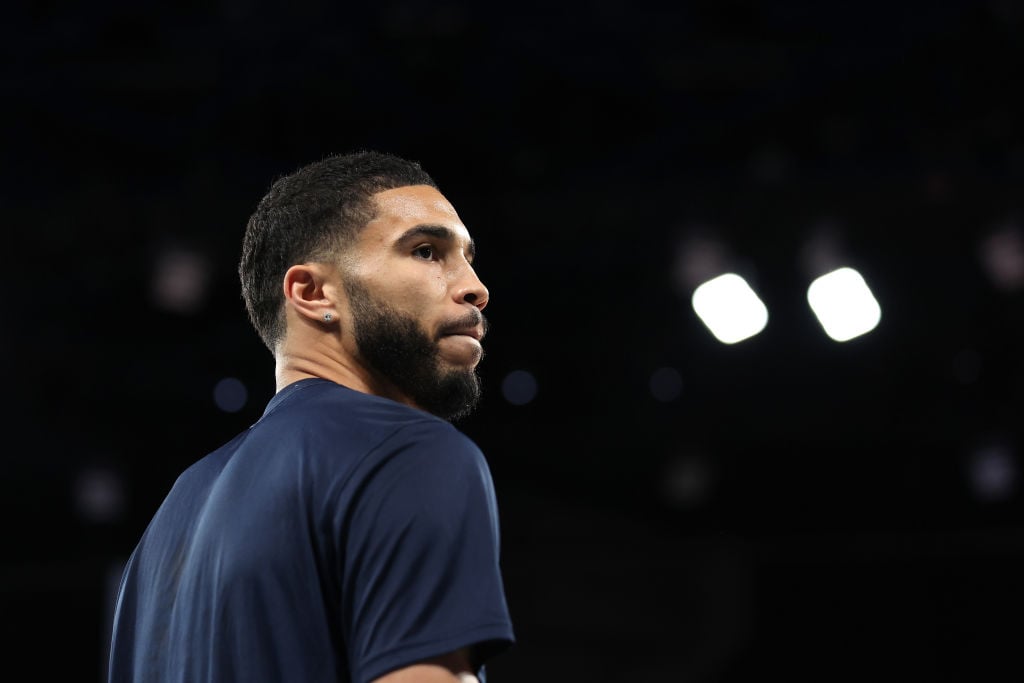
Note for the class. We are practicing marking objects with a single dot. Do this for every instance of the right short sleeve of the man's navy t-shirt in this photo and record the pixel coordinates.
(421, 550)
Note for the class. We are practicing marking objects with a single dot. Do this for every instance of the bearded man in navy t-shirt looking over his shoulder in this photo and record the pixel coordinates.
(351, 534)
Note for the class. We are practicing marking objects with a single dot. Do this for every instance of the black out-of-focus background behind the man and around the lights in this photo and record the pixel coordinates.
(799, 509)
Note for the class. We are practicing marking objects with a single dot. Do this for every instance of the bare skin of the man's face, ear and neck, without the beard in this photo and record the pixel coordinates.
(419, 275)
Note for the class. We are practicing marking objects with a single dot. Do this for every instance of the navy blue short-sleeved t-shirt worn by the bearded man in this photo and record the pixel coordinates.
(339, 538)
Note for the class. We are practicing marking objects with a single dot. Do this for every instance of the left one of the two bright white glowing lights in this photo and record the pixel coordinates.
(730, 309)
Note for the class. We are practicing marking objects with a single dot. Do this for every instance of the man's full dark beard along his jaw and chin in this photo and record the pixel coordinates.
(395, 347)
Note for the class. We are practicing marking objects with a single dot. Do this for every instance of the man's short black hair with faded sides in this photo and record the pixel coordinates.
(313, 215)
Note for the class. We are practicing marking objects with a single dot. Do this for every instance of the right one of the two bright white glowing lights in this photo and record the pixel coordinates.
(844, 305)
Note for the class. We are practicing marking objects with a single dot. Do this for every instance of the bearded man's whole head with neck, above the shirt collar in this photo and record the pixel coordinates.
(357, 269)
